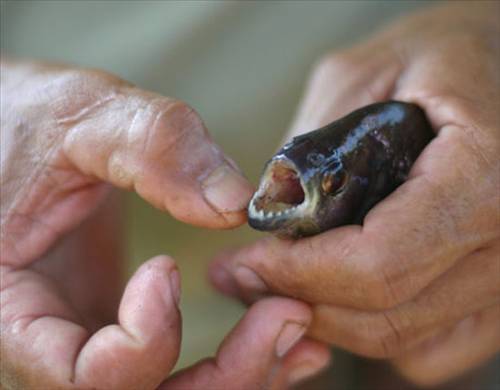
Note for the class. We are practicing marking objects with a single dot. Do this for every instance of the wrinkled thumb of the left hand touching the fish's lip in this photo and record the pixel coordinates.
(160, 148)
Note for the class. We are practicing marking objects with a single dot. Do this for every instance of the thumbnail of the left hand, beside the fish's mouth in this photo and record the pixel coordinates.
(227, 190)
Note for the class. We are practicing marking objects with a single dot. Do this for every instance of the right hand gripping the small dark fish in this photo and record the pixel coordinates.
(419, 282)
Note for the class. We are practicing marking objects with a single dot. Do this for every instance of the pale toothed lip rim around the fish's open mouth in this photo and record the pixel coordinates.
(271, 220)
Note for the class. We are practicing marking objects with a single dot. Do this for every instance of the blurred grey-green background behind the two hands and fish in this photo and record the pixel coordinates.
(243, 66)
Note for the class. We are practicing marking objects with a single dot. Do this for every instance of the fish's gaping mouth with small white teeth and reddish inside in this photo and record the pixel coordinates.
(281, 195)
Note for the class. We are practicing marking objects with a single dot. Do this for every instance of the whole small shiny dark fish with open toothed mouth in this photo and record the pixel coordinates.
(343, 169)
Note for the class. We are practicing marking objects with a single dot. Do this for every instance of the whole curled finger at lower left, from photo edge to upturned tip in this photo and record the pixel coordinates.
(39, 327)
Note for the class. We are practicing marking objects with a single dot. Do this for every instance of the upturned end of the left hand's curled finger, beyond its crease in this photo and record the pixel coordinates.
(149, 326)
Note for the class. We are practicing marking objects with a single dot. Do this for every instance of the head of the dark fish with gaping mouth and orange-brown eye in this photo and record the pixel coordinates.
(302, 189)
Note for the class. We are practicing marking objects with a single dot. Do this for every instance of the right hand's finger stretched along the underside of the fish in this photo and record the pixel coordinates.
(407, 240)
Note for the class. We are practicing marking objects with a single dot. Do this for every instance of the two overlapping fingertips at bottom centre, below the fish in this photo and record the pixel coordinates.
(250, 357)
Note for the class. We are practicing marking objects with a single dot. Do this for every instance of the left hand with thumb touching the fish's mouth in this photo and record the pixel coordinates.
(68, 136)
